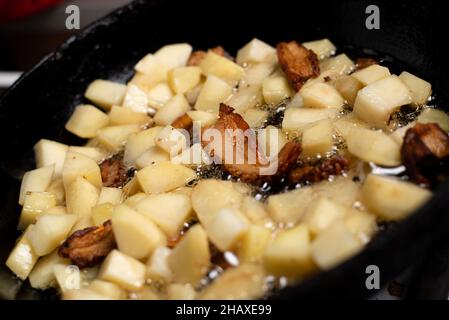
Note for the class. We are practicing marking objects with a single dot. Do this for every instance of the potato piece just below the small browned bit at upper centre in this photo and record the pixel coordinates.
(221, 67)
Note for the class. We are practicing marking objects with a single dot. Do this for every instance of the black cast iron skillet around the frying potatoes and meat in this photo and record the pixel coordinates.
(38, 105)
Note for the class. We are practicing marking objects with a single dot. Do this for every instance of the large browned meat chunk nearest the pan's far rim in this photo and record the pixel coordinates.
(299, 63)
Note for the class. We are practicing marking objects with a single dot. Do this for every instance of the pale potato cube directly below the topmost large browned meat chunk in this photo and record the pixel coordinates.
(321, 95)
